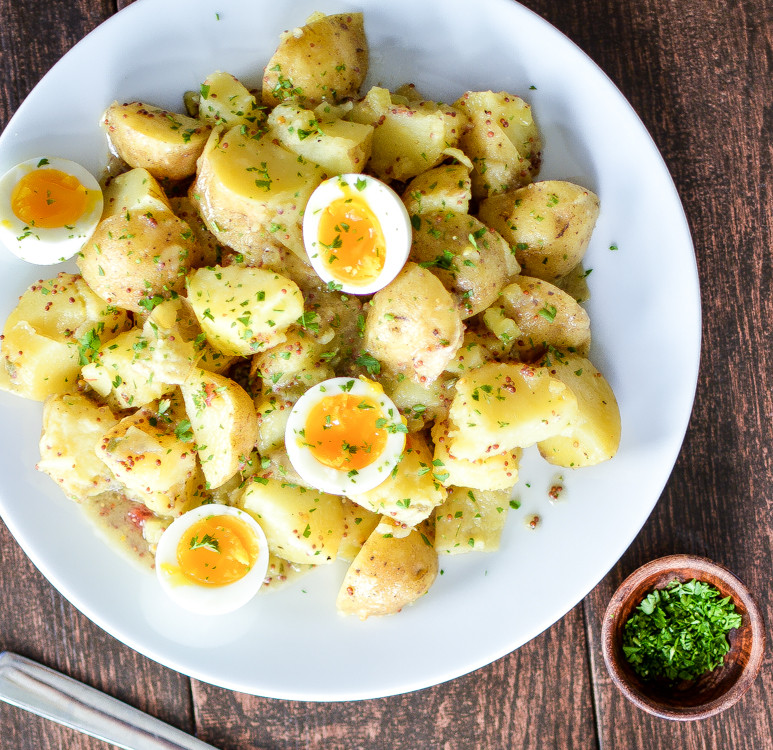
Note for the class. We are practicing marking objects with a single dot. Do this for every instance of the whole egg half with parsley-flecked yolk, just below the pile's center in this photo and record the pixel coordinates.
(344, 436)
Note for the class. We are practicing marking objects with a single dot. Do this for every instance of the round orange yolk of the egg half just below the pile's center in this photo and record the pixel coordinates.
(345, 432)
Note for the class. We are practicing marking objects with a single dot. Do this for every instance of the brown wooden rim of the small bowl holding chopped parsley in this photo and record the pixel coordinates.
(677, 564)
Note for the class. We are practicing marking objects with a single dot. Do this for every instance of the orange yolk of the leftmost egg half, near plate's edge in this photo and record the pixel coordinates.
(49, 198)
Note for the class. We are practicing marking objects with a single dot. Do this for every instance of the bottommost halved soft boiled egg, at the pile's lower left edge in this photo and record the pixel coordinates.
(212, 559)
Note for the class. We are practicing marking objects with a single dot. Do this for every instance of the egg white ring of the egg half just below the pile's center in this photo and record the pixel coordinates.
(327, 478)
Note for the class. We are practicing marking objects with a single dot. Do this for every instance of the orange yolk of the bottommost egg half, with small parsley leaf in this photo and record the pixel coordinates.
(217, 550)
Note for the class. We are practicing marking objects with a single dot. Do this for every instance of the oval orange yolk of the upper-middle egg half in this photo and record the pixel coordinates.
(353, 246)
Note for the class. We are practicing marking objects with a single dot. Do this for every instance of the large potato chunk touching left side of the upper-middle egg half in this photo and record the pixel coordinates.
(253, 191)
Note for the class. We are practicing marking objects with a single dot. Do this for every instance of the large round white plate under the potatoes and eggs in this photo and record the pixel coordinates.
(645, 314)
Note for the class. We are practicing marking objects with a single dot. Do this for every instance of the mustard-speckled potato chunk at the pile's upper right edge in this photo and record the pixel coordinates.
(502, 140)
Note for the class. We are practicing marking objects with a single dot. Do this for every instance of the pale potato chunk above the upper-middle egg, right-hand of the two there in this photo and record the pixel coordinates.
(409, 137)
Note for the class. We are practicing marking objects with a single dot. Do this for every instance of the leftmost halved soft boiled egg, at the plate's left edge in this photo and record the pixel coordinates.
(49, 207)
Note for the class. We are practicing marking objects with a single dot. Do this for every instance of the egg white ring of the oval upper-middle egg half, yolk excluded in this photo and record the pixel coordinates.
(390, 212)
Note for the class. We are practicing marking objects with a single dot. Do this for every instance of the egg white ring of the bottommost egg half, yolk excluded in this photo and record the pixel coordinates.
(208, 600)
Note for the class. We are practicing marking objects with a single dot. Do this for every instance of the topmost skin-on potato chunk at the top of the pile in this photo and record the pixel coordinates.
(325, 60)
